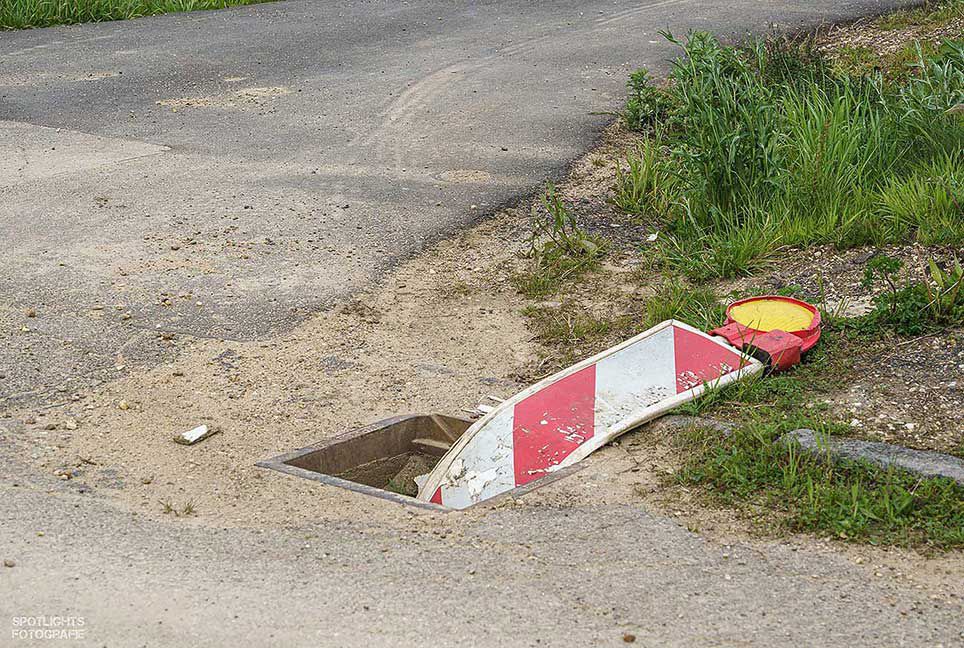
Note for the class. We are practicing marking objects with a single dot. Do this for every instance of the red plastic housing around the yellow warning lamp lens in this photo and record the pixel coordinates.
(780, 349)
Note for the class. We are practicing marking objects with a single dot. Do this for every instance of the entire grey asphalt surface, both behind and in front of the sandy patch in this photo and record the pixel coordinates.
(226, 174)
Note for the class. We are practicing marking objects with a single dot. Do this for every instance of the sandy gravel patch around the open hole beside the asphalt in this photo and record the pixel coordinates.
(440, 334)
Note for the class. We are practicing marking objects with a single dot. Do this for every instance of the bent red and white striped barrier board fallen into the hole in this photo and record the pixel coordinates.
(564, 418)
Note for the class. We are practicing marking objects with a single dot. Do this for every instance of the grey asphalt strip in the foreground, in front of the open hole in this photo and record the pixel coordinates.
(537, 574)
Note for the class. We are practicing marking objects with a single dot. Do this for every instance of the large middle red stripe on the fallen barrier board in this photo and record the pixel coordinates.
(551, 423)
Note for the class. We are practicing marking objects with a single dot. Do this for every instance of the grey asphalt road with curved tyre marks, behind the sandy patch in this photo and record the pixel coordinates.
(224, 174)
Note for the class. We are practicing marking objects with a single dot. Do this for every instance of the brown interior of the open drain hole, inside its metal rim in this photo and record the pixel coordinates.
(387, 455)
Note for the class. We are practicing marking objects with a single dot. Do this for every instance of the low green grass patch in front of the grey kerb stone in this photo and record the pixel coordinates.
(847, 500)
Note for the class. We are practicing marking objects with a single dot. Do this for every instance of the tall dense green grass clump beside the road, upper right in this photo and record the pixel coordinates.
(769, 145)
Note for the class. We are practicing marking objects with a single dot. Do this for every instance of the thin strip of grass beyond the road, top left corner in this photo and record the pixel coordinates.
(23, 14)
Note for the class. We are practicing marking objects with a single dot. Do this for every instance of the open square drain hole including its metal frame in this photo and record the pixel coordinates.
(383, 459)
